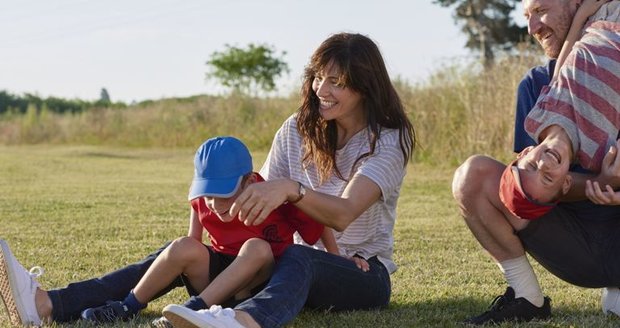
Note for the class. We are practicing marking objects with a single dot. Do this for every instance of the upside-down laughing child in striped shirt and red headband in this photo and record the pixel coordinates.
(576, 118)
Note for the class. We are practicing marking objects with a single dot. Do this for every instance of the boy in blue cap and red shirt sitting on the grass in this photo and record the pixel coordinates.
(239, 258)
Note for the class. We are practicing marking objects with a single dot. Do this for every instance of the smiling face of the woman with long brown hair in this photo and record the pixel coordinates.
(336, 100)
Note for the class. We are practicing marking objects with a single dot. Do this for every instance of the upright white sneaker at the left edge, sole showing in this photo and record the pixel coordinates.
(18, 288)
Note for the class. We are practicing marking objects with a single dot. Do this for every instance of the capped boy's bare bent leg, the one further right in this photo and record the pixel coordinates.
(252, 267)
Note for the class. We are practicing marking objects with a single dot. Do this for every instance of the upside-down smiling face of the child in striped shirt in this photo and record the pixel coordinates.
(544, 172)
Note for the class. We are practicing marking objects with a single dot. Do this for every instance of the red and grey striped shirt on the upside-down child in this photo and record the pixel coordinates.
(585, 100)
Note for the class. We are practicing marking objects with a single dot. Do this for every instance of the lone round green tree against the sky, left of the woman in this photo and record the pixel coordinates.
(247, 70)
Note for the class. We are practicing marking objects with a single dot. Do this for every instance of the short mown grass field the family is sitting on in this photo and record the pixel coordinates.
(80, 211)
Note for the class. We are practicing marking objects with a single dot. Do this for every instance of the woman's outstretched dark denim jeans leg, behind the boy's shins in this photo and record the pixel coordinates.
(70, 301)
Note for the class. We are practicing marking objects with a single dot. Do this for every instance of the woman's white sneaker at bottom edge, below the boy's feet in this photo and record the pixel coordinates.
(214, 317)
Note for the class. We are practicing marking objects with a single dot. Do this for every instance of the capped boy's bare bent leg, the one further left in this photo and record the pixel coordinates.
(184, 256)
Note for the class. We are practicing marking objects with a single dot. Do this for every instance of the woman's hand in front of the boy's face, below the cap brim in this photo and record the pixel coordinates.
(261, 198)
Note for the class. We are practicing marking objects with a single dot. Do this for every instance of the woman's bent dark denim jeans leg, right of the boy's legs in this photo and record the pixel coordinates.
(318, 280)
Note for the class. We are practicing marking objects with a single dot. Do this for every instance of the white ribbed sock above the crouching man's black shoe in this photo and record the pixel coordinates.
(520, 276)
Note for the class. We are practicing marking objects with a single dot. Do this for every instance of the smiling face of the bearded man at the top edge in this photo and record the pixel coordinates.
(548, 21)
